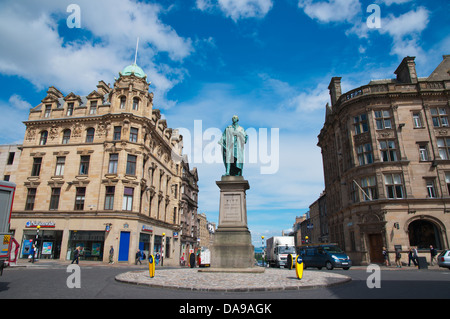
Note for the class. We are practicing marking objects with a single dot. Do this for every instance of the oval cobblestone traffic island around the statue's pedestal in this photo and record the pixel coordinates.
(271, 279)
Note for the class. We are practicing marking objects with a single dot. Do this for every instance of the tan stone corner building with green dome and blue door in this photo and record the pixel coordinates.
(98, 171)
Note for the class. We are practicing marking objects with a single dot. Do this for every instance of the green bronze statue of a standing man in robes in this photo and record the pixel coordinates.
(232, 142)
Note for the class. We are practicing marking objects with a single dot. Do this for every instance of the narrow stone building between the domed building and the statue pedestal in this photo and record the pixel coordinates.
(189, 206)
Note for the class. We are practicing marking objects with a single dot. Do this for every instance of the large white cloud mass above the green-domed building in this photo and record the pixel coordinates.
(37, 51)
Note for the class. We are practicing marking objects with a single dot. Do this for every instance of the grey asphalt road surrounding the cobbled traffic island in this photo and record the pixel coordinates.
(50, 281)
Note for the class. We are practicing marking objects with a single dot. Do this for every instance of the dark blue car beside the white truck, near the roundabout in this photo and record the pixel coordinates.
(325, 255)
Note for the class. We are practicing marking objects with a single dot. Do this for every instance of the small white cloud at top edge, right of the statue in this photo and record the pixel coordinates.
(332, 10)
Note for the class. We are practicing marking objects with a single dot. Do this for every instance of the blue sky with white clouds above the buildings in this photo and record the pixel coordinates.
(270, 62)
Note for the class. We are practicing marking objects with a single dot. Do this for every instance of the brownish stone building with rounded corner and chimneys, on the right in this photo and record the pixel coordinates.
(386, 160)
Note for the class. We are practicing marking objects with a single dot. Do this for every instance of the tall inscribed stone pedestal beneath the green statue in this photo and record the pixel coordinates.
(232, 248)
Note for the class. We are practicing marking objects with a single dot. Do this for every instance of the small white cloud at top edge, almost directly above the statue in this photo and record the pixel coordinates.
(237, 9)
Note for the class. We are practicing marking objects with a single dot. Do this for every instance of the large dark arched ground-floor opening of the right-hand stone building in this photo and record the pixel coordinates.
(423, 233)
